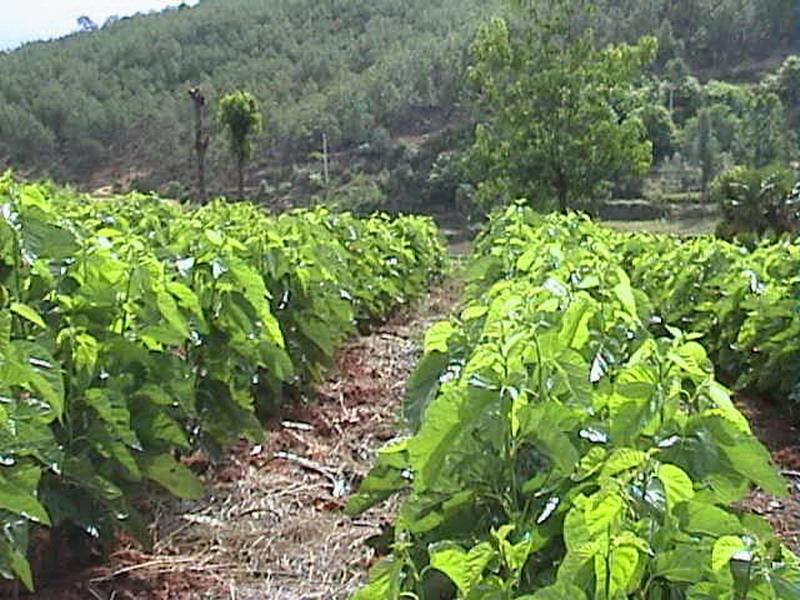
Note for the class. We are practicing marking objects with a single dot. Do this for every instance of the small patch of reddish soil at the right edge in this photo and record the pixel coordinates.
(773, 425)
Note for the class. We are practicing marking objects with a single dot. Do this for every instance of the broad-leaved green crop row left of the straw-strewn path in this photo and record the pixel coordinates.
(133, 331)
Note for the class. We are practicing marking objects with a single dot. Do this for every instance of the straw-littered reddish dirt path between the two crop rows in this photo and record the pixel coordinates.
(271, 525)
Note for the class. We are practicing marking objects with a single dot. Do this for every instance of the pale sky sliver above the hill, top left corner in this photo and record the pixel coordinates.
(28, 20)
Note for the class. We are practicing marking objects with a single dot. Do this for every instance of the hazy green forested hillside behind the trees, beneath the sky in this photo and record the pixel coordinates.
(103, 104)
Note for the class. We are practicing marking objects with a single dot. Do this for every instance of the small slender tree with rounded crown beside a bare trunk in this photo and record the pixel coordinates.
(241, 117)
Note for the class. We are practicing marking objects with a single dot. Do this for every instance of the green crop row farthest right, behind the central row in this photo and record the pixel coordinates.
(742, 302)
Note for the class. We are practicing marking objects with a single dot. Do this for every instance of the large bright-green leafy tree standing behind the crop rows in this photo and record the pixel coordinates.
(559, 113)
